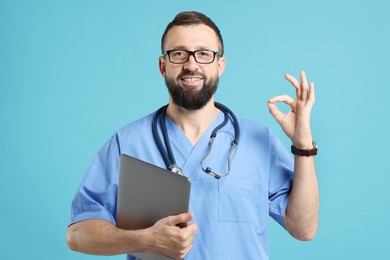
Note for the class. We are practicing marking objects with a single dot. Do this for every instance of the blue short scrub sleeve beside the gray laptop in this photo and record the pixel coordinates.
(97, 194)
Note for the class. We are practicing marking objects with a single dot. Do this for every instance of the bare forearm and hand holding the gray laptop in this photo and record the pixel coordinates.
(100, 237)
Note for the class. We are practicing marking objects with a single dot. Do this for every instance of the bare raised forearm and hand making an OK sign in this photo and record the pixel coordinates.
(301, 217)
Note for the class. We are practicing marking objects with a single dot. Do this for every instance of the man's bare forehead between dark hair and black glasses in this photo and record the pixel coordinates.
(191, 37)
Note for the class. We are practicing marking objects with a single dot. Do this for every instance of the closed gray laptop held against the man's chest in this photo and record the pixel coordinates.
(146, 194)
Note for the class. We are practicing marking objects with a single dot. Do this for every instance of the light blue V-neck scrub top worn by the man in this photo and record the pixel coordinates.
(231, 212)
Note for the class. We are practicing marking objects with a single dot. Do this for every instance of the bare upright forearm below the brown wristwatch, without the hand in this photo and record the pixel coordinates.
(301, 218)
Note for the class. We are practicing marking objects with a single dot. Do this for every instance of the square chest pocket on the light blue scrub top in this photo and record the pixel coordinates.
(239, 201)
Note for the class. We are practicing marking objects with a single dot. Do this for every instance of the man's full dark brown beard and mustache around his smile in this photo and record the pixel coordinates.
(189, 98)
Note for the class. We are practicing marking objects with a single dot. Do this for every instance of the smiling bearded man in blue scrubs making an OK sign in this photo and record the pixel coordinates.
(228, 216)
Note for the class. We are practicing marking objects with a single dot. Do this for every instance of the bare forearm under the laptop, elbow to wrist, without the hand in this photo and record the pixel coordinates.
(100, 237)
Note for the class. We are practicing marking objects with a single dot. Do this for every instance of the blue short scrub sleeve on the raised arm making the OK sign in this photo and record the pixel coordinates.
(280, 179)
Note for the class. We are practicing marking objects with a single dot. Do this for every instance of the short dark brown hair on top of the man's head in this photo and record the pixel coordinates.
(192, 18)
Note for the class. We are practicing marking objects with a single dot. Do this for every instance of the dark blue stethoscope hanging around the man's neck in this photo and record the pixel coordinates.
(167, 155)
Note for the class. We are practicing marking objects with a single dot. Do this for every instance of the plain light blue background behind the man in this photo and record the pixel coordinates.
(72, 72)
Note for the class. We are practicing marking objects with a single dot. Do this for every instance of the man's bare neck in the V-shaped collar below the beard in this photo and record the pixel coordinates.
(193, 122)
